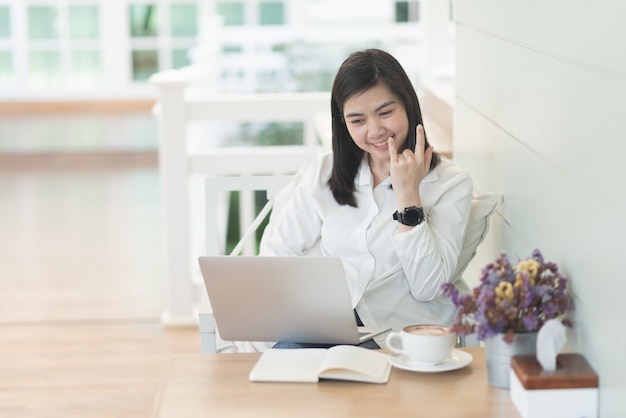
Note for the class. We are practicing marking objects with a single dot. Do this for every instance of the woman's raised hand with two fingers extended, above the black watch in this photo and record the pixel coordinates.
(408, 169)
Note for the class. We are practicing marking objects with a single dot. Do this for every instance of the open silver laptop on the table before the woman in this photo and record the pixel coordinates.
(292, 299)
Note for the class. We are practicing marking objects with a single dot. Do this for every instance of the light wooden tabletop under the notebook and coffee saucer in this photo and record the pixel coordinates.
(217, 385)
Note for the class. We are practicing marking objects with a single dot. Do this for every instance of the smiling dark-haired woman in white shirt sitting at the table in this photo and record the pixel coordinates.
(395, 217)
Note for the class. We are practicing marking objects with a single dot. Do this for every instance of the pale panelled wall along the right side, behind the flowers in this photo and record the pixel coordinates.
(539, 117)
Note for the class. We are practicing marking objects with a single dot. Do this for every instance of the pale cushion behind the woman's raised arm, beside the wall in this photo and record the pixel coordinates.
(483, 206)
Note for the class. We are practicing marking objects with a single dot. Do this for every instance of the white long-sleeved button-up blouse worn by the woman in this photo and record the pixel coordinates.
(394, 278)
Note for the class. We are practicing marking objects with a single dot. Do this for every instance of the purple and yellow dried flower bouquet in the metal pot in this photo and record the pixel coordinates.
(512, 299)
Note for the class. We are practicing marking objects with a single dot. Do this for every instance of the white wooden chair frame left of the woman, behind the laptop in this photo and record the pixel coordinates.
(215, 236)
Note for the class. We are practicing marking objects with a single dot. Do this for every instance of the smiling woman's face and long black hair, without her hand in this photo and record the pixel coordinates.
(366, 82)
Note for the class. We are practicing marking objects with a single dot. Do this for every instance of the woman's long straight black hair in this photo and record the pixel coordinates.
(359, 72)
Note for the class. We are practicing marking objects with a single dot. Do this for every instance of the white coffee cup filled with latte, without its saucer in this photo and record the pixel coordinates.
(424, 343)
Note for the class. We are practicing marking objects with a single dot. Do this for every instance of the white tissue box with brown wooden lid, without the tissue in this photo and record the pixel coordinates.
(571, 391)
